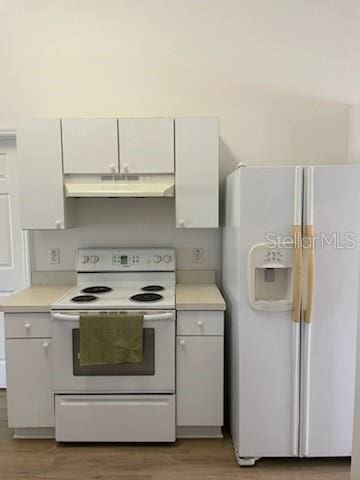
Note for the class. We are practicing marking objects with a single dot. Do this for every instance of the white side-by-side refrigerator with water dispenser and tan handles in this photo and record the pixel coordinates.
(290, 276)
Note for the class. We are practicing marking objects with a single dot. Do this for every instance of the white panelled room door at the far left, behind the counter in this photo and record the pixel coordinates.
(12, 241)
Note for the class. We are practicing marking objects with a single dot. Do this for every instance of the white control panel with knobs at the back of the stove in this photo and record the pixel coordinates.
(125, 259)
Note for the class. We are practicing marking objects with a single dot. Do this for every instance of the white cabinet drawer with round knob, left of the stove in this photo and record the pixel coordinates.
(29, 325)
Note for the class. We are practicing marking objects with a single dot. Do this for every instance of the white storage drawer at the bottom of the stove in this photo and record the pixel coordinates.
(115, 418)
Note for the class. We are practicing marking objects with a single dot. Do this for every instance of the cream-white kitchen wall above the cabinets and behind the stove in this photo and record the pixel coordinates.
(279, 74)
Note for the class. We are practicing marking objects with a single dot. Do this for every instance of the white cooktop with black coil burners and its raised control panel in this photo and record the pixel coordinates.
(127, 272)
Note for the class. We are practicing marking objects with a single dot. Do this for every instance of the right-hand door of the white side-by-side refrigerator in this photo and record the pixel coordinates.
(329, 340)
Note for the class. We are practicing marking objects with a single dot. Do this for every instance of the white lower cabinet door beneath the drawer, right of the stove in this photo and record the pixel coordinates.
(199, 387)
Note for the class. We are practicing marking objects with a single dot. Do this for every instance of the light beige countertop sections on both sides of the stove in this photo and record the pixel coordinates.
(40, 298)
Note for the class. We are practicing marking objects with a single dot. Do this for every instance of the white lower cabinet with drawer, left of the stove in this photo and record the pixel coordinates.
(30, 398)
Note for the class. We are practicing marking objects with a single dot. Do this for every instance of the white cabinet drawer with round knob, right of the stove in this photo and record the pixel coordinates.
(200, 323)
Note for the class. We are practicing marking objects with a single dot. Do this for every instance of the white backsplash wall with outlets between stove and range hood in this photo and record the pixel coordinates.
(126, 222)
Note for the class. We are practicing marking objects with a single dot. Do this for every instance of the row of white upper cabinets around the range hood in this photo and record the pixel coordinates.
(52, 151)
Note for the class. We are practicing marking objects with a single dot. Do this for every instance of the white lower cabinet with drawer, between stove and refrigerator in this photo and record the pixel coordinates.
(199, 374)
